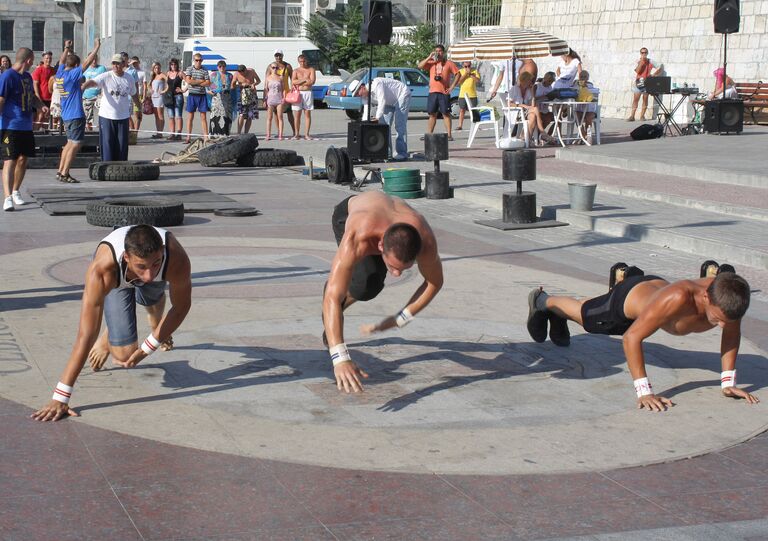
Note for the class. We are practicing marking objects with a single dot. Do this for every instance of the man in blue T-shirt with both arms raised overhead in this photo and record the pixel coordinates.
(68, 79)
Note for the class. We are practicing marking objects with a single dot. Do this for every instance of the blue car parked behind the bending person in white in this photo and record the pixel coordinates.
(336, 97)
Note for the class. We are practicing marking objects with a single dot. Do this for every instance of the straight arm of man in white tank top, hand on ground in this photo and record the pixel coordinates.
(97, 285)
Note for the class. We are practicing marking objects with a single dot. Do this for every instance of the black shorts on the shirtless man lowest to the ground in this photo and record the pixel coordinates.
(605, 314)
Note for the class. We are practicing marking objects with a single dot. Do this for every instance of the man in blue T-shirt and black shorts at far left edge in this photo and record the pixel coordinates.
(17, 143)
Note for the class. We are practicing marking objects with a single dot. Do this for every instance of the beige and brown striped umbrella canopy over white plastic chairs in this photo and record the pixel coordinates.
(504, 43)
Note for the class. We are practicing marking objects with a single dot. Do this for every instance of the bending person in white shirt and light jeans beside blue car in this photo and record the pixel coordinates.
(393, 101)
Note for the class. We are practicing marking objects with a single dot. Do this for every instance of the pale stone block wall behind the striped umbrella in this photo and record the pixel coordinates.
(608, 35)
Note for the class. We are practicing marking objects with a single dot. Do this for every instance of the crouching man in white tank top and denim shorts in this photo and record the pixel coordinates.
(131, 265)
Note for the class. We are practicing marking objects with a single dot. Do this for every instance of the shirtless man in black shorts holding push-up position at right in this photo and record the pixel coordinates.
(637, 307)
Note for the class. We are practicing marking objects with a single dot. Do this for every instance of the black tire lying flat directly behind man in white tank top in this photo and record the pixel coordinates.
(121, 212)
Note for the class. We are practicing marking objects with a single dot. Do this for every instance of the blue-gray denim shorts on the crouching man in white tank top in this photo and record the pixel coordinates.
(120, 310)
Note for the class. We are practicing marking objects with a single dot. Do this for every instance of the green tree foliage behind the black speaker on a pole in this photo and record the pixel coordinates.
(337, 34)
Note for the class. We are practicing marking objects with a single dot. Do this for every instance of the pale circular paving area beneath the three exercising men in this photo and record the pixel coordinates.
(462, 389)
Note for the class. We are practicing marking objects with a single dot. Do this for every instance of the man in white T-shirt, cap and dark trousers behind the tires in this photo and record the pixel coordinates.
(119, 92)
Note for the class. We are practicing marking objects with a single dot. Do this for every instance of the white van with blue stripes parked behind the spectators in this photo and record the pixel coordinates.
(257, 53)
